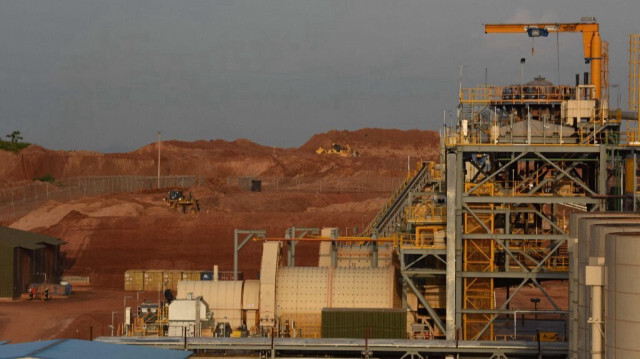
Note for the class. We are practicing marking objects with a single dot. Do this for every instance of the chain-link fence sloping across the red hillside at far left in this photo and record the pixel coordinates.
(23, 198)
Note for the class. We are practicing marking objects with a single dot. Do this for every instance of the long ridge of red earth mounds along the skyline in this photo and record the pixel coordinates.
(379, 150)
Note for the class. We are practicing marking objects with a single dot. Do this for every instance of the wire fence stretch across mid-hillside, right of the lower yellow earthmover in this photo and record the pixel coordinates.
(320, 185)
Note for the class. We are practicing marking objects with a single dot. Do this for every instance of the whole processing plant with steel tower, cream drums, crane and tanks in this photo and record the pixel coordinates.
(537, 183)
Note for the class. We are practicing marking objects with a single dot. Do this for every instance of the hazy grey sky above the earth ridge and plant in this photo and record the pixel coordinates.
(107, 75)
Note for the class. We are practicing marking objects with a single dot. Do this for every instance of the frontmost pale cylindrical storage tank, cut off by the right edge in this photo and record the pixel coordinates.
(622, 288)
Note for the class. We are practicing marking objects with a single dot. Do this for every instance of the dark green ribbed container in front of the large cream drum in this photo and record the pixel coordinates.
(364, 323)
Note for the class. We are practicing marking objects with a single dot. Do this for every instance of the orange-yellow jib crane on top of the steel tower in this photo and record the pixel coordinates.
(590, 39)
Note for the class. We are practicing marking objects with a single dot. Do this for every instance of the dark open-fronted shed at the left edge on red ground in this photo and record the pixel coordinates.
(27, 257)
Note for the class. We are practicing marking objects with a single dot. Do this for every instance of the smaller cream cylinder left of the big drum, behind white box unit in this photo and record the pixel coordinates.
(224, 298)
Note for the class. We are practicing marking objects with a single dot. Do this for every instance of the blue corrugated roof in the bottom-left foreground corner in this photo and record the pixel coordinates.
(74, 348)
